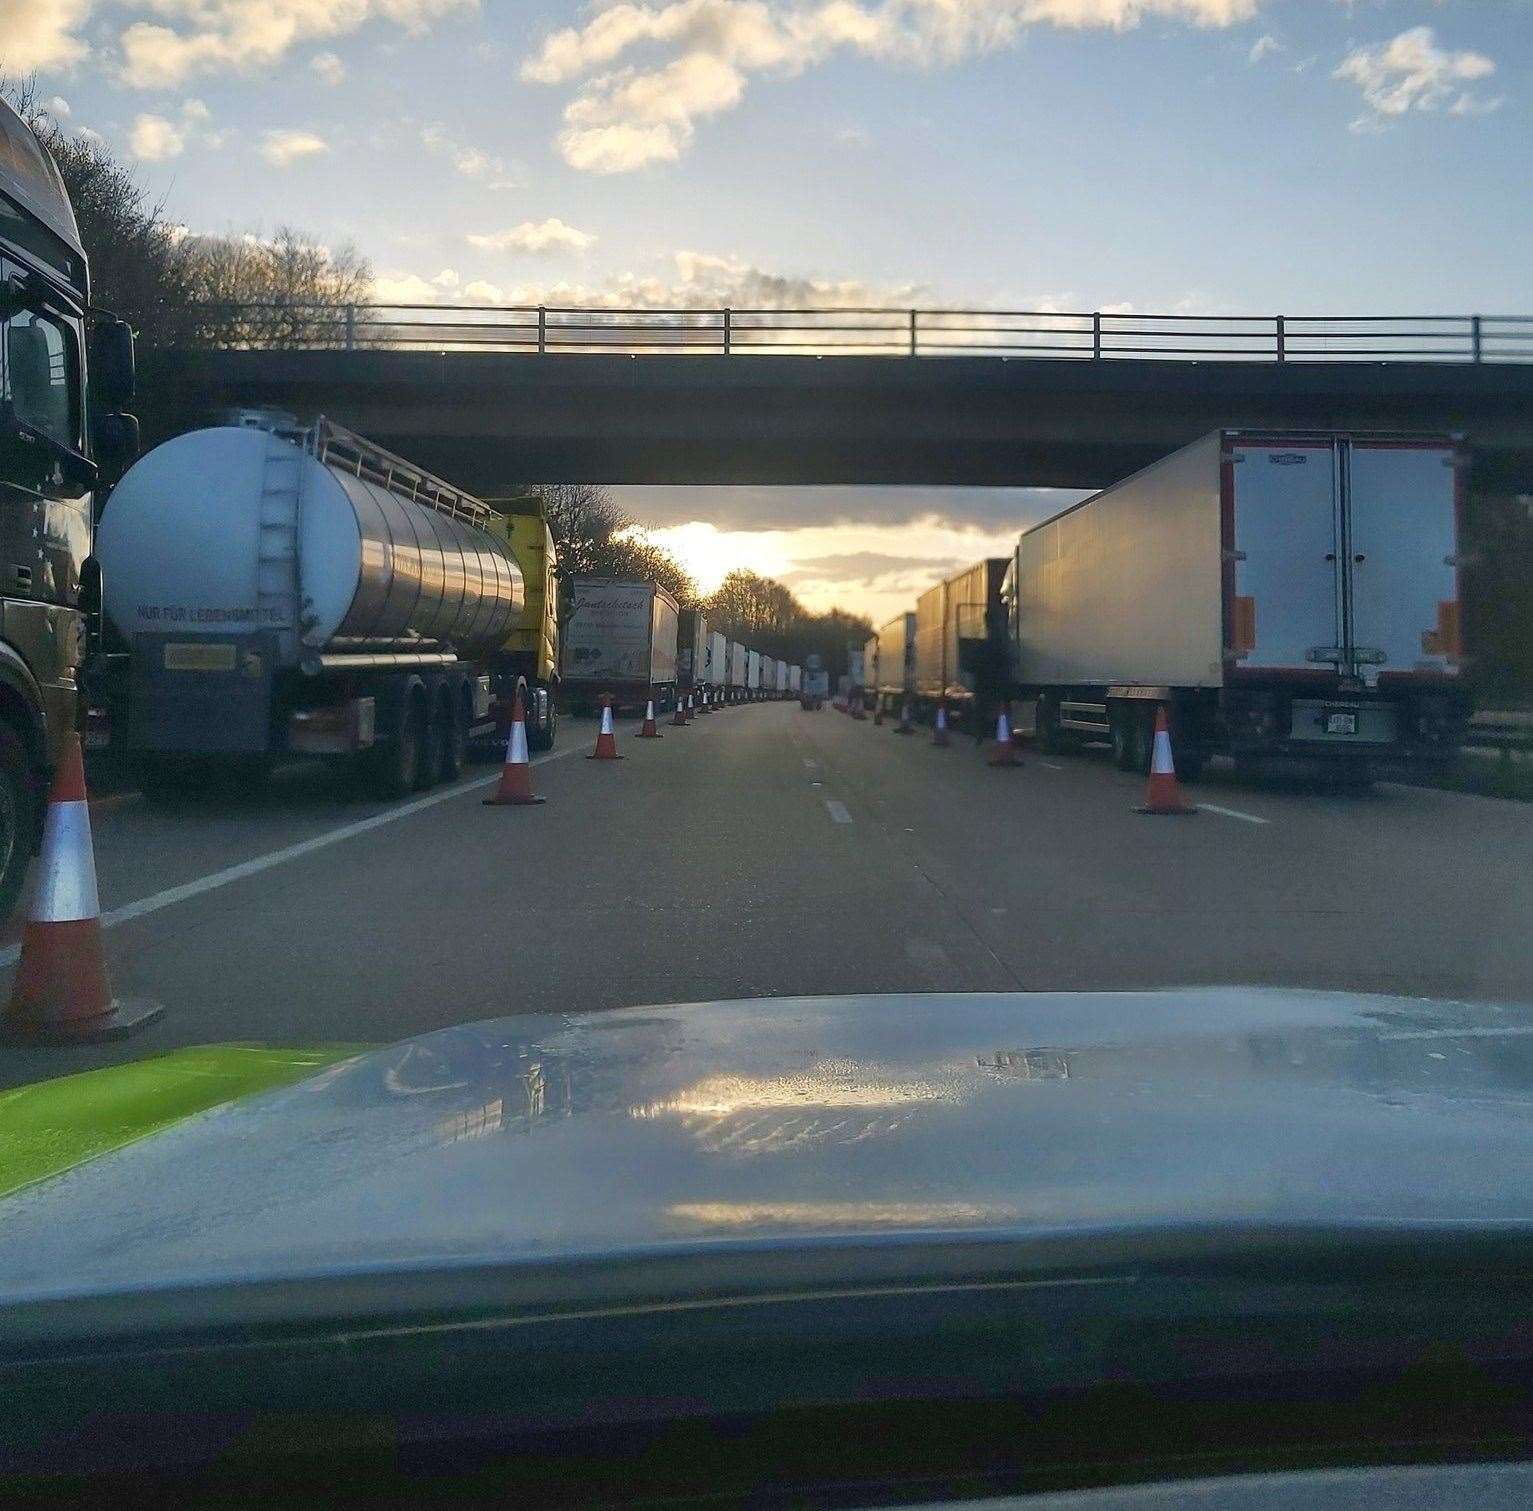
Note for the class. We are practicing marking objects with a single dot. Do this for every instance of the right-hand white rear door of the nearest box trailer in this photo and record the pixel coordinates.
(1403, 546)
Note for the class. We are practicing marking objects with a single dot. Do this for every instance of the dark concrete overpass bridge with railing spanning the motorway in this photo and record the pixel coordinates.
(491, 398)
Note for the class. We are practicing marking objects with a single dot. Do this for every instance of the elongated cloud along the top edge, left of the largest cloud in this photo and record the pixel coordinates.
(240, 36)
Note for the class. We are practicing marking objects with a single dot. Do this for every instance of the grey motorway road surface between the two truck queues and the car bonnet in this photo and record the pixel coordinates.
(763, 853)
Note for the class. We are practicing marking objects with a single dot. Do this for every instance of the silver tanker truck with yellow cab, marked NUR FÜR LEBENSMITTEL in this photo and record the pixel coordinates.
(281, 591)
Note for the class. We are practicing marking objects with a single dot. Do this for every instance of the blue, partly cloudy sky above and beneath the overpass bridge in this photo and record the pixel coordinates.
(1221, 157)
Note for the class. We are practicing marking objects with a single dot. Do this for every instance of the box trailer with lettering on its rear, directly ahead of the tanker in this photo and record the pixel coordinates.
(620, 638)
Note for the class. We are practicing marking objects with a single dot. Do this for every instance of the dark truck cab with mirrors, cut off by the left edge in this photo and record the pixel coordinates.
(62, 439)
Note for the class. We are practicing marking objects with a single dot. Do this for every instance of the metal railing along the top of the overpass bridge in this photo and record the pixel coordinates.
(850, 332)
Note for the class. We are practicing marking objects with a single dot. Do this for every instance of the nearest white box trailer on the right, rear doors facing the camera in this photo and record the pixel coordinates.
(1287, 595)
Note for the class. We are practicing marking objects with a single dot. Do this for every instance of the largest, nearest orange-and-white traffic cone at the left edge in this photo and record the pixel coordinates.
(62, 994)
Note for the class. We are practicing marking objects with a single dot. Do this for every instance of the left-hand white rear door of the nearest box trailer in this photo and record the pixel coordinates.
(1287, 529)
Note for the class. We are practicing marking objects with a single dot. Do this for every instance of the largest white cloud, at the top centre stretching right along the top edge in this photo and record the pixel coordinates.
(625, 117)
